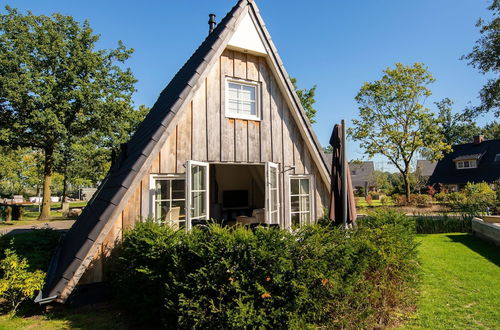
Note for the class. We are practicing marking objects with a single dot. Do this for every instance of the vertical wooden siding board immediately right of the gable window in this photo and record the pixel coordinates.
(265, 127)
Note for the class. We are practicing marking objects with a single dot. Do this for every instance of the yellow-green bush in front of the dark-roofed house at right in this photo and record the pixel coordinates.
(475, 199)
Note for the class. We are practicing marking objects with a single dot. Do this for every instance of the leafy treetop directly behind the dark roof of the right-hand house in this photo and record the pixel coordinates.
(456, 128)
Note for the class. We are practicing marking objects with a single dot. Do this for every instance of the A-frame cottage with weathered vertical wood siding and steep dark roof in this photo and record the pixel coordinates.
(226, 140)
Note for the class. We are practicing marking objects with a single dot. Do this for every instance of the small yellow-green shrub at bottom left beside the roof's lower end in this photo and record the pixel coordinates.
(17, 283)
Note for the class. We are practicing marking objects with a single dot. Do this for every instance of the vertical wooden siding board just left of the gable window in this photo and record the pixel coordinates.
(214, 113)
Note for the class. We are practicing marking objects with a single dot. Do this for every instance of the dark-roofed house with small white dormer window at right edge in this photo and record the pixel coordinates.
(471, 162)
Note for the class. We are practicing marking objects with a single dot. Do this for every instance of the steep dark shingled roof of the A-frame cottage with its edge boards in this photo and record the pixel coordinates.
(78, 247)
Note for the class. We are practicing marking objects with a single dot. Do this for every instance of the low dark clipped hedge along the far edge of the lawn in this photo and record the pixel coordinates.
(442, 224)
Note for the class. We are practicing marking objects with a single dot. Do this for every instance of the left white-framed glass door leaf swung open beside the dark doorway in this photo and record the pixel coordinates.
(197, 199)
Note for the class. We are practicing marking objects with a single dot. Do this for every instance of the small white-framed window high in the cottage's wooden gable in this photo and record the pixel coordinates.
(241, 99)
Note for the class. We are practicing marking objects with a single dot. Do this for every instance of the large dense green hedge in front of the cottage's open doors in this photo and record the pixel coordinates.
(317, 276)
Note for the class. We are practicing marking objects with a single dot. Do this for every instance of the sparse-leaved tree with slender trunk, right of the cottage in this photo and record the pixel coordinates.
(393, 121)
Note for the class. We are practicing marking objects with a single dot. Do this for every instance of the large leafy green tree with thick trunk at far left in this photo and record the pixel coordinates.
(54, 85)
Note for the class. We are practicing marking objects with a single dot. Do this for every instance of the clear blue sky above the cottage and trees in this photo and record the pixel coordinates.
(334, 44)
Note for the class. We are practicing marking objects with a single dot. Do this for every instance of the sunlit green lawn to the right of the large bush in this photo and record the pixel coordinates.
(461, 283)
